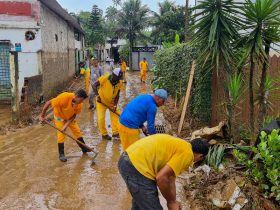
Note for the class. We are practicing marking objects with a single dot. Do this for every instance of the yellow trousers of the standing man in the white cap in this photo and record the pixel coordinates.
(101, 114)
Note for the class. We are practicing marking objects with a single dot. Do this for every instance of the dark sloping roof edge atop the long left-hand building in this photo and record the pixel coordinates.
(57, 9)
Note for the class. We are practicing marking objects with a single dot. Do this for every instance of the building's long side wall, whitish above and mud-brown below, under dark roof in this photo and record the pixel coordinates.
(58, 55)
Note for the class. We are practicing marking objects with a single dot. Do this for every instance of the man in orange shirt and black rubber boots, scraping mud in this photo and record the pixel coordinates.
(66, 107)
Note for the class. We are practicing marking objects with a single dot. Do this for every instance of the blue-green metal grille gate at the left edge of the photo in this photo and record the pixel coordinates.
(5, 80)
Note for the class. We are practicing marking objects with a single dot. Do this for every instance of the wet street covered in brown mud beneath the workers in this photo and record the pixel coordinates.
(32, 177)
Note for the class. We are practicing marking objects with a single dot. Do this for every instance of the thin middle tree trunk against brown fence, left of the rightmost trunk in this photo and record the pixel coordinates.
(251, 93)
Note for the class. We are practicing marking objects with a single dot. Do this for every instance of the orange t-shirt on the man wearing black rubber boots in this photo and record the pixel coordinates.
(63, 107)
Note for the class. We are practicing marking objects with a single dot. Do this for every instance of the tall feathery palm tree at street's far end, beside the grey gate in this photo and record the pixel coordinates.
(132, 20)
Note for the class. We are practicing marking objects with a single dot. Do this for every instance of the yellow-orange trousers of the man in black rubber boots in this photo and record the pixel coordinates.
(73, 127)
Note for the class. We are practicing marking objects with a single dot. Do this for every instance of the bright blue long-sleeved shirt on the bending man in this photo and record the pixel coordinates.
(141, 109)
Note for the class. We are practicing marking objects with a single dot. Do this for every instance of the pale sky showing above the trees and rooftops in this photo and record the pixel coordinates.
(86, 5)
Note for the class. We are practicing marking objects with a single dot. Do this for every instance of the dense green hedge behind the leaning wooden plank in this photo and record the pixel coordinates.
(172, 69)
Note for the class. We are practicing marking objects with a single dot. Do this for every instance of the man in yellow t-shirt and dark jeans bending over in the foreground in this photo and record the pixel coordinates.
(154, 162)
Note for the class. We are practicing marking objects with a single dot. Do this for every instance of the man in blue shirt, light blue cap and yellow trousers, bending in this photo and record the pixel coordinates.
(141, 109)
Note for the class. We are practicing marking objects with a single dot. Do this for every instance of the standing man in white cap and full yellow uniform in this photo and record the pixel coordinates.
(108, 97)
